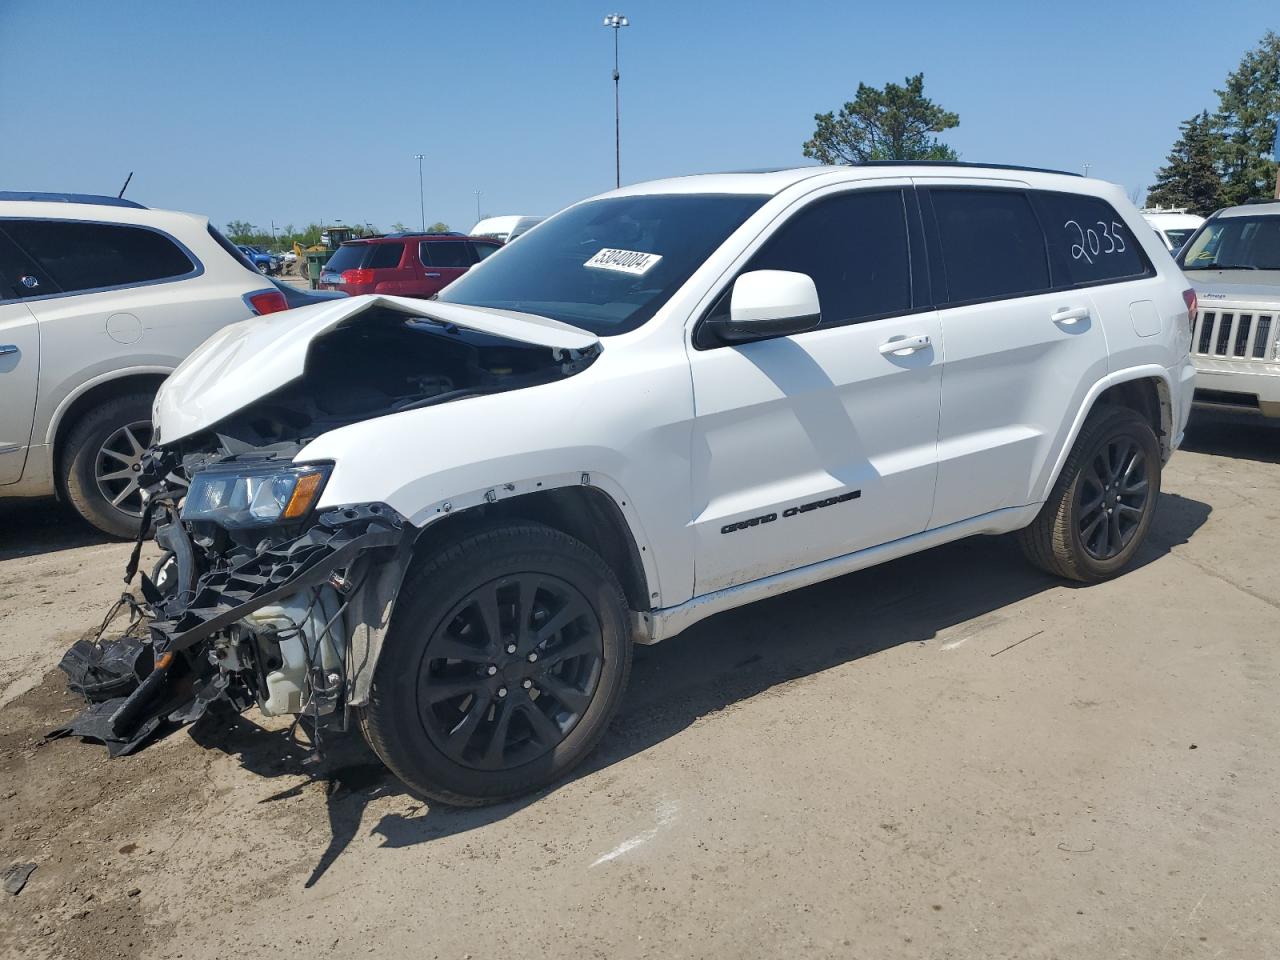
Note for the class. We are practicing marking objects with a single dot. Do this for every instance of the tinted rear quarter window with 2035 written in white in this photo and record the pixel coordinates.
(1089, 239)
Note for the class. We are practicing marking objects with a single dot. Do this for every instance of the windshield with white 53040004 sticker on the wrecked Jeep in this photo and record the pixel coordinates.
(607, 266)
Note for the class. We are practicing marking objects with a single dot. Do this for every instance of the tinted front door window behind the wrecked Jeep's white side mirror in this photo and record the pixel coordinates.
(854, 248)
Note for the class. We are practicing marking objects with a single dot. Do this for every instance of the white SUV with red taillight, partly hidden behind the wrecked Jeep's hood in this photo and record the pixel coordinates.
(100, 300)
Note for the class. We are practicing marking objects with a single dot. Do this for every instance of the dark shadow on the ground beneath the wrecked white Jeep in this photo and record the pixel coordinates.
(712, 666)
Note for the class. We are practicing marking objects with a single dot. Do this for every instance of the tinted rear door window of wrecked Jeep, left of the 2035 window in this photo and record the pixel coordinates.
(993, 245)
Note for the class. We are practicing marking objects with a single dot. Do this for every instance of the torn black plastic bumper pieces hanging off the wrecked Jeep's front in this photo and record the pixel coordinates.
(134, 684)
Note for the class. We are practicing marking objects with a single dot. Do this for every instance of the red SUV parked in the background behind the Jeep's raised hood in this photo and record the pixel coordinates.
(404, 264)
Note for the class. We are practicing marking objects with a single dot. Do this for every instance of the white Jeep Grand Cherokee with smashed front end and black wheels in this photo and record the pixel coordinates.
(450, 520)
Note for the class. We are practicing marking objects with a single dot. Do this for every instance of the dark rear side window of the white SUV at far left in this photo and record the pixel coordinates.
(84, 257)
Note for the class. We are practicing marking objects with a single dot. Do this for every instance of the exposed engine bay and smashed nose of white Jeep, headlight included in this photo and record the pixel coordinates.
(258, 600)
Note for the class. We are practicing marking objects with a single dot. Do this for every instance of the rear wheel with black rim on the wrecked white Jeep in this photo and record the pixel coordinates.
(1101, 508)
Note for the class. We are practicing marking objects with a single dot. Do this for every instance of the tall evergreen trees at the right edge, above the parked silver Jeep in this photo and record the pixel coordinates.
(1226, 157)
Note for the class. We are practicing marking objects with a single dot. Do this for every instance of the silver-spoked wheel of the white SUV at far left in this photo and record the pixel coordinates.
(99, 461)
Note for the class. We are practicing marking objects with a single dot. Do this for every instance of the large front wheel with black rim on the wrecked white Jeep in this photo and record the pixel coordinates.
(506, 659)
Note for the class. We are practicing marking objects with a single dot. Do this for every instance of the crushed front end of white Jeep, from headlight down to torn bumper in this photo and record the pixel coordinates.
(278, 616)
